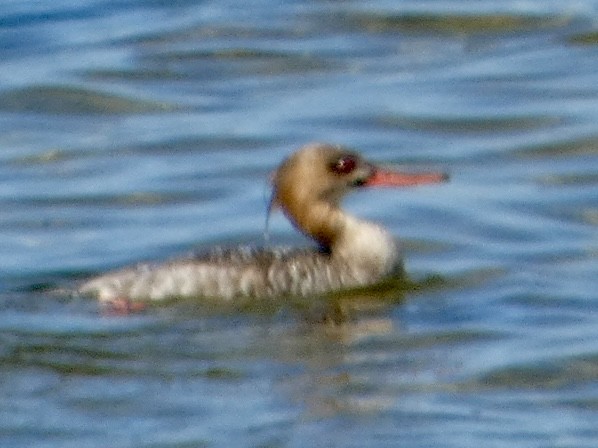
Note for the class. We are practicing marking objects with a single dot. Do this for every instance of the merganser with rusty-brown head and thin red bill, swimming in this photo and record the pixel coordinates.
(307, 187)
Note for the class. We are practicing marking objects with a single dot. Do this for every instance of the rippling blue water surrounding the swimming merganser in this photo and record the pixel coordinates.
(134, 130)
